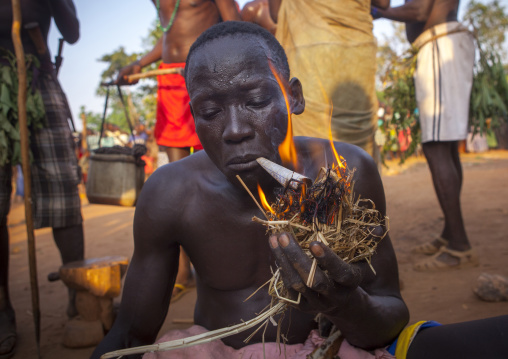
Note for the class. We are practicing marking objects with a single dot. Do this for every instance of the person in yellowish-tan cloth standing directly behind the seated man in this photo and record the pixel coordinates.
(332, 50)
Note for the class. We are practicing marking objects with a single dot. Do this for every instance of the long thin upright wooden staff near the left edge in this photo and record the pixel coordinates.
(23, 130)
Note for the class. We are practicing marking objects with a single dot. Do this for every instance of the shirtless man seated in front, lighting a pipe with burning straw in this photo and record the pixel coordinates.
(198, 203)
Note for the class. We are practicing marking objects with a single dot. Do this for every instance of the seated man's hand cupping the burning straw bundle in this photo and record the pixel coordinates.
(333, 281)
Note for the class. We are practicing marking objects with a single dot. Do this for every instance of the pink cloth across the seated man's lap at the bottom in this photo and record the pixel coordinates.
(218, 350)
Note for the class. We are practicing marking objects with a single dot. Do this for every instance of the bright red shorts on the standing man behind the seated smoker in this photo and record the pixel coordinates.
(174, 126)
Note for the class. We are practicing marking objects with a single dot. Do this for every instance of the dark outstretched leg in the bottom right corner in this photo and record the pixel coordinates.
(484, 338)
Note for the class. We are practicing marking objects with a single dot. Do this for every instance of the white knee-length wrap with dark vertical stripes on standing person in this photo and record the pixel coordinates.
(443, 80)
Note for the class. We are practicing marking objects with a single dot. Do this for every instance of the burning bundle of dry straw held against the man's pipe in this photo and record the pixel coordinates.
(323, 211)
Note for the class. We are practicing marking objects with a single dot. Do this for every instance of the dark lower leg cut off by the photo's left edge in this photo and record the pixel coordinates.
(7, 317)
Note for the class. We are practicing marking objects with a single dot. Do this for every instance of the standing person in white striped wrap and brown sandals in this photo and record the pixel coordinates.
(443, 80)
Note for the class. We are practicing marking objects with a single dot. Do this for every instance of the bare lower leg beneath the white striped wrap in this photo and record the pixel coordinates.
(446, 170)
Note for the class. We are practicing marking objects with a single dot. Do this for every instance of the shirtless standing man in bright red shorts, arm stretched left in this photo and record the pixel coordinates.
(182, 21)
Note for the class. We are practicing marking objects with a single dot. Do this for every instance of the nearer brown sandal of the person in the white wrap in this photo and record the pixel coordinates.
(435, 263)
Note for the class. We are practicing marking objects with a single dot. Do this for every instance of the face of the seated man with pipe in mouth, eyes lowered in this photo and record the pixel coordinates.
(238, 106)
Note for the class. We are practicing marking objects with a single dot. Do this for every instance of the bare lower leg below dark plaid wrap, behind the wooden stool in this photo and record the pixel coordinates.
(70, 243)
